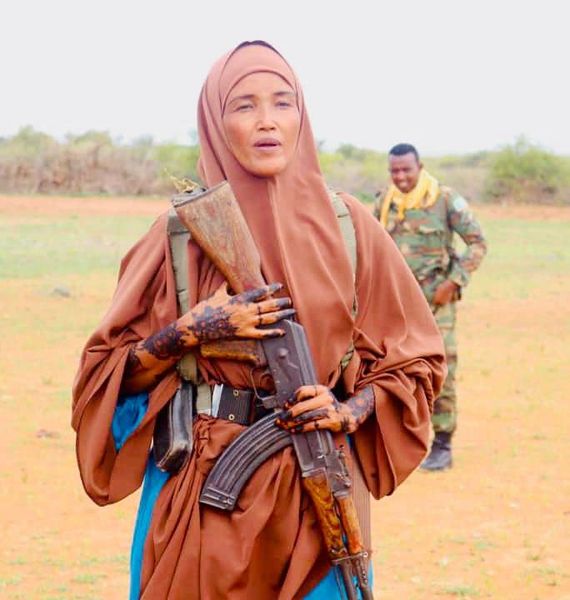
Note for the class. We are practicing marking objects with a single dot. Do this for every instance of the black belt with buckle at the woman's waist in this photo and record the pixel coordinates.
(239, 406)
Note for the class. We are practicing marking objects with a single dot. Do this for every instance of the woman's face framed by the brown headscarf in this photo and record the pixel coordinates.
(261, 121)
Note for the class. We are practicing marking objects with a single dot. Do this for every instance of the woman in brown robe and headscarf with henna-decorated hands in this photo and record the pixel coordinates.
(255, 133)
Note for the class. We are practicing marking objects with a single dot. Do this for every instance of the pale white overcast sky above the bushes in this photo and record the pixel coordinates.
(450, 76)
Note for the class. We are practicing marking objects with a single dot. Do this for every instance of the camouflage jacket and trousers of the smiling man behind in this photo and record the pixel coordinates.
(425, 238)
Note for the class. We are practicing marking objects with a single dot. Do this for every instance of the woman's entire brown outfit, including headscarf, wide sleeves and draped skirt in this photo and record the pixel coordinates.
(269, 547)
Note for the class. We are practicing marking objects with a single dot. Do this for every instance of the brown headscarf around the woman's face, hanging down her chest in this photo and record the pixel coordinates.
(290, 216)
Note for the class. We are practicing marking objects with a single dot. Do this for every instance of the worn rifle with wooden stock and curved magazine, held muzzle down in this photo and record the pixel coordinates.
(217, 225)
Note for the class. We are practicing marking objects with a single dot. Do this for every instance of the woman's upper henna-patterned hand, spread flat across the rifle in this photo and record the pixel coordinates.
(225, 317)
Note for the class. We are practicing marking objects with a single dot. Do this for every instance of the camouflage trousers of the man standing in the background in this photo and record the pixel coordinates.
(444, 418)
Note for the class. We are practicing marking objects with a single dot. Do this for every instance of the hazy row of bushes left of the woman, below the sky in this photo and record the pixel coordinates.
(91, 163)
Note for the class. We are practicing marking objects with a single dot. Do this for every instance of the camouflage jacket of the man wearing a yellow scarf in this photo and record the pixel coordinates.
(426, 239)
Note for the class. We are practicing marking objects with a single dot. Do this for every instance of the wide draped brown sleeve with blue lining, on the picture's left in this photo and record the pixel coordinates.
(114, 434)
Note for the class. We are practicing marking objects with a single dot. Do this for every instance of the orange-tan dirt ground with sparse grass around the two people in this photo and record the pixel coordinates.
(495, 526)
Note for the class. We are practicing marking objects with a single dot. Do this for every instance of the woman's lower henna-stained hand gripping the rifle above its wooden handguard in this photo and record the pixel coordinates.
(315, 407)
